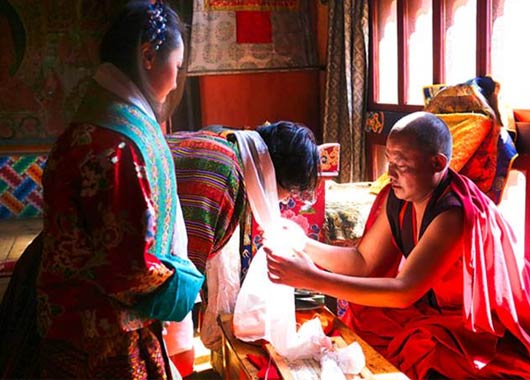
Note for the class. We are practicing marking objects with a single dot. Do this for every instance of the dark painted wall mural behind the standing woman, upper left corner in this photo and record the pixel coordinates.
(49, 51)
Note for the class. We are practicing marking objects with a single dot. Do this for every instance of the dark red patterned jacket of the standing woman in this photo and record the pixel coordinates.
(110, 276)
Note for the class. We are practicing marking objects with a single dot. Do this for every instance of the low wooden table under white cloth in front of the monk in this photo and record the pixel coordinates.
(237, 366)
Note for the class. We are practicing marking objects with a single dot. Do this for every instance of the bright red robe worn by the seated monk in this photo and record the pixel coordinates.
(467, 338)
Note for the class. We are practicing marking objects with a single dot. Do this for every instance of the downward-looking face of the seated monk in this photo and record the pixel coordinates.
(411, 171)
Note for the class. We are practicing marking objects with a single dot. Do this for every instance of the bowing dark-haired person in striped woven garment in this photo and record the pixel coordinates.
(214, 197)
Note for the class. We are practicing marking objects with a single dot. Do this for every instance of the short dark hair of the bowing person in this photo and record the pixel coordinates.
(294, 154)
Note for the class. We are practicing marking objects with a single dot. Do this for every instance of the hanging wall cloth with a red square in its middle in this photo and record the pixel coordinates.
(251, 36)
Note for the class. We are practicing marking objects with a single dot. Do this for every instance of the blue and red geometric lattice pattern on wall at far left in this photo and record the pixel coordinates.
(20, 186)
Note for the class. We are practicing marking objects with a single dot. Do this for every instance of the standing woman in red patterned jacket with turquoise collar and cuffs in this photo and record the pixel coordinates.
(114, 260)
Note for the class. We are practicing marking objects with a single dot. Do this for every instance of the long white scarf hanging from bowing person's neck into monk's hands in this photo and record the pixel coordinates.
(263, 310)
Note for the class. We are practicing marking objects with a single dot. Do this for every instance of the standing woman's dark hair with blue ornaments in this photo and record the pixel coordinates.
(138, 22)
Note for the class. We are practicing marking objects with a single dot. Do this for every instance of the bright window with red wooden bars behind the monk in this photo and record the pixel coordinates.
(420, 42)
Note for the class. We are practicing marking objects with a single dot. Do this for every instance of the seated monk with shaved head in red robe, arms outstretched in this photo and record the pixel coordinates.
(438, 283)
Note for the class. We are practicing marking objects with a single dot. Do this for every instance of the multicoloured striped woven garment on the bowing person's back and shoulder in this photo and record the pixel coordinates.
(211, 190)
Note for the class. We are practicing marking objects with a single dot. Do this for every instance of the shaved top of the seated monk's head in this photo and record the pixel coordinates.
(430, 133)
